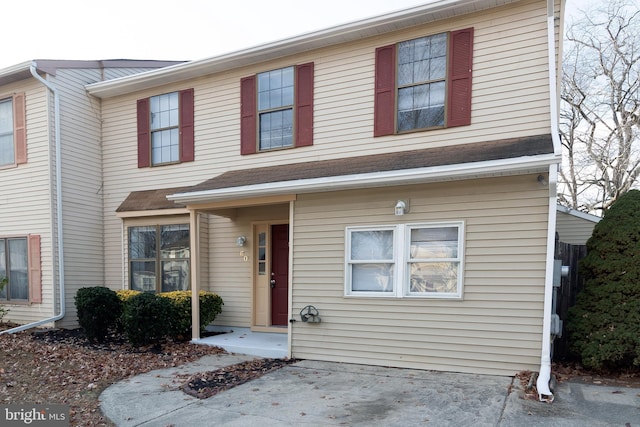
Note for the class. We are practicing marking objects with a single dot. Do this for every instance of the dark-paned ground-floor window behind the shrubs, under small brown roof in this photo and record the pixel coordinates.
(159, 258)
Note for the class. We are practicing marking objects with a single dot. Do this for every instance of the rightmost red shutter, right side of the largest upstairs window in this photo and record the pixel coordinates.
(459, 84)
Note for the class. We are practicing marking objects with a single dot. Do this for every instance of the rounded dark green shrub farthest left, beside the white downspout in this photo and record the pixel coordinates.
(98, 311)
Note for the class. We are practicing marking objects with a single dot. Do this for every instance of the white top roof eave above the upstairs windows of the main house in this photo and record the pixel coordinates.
(436, 10)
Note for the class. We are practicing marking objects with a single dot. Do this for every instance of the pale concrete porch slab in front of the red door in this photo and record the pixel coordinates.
(245, 341)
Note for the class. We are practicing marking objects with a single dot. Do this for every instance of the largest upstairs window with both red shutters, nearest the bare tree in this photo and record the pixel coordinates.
(424, 83)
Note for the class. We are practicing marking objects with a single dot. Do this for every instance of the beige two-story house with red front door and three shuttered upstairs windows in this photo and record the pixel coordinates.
(397, 174)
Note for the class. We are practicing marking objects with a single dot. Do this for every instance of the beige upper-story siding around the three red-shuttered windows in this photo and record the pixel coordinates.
(510, 99)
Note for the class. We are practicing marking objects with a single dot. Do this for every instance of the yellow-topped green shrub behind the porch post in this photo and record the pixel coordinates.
(210, 307)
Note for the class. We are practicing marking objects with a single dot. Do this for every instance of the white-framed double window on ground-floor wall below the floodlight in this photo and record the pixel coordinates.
(405, 260)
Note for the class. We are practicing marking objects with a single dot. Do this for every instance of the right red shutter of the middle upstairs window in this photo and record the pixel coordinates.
(304, 105)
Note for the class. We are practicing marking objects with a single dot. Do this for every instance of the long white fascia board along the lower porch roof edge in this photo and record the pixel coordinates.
(532, 164)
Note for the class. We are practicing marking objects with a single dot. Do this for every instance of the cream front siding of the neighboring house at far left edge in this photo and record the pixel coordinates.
(25, 201)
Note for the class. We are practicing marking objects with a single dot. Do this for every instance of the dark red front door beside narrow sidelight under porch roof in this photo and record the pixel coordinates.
(279, 274)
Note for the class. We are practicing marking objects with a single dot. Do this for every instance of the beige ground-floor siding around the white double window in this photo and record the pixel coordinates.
(497, 326)
